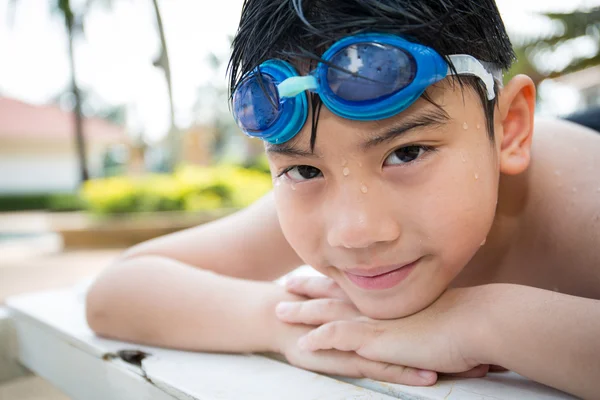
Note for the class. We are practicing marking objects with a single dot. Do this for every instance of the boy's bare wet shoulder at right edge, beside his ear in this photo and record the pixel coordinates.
(564, 202)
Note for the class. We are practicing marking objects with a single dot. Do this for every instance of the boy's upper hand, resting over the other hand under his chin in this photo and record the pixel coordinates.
(433, 339)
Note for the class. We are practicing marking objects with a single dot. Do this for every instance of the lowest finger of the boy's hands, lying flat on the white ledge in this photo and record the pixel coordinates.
(350, 364)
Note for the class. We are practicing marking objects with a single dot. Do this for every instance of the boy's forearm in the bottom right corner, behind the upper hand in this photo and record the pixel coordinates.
(549, 337)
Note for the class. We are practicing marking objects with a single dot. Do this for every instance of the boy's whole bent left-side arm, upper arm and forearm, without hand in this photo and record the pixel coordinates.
(161, 292)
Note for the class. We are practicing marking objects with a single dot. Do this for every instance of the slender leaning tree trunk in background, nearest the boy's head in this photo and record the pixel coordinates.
(163, 63)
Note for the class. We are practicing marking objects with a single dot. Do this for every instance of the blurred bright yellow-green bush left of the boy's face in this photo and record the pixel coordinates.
(190, 188)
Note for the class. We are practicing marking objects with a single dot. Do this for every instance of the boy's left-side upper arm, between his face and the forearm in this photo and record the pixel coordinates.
(248, 244)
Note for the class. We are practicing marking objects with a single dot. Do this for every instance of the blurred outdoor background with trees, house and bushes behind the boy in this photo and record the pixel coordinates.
(115, 128)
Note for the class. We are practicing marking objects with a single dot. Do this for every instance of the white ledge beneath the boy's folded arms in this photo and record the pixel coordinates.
(56, 343)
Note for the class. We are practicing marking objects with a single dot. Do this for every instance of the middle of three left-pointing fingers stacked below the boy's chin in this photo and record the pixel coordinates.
(315, 312)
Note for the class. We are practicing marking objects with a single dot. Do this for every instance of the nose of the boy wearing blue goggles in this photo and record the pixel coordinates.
(360, 220)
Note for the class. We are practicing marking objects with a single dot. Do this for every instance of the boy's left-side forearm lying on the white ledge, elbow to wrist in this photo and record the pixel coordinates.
(158, 301)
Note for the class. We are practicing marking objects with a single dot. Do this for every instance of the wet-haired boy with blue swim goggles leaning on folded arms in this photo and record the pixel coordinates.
(452, 238)
